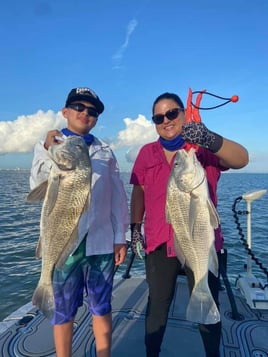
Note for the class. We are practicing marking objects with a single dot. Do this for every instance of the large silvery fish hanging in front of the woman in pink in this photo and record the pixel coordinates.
(193, 218)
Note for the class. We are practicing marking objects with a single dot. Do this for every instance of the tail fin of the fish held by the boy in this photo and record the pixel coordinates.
(43, 298)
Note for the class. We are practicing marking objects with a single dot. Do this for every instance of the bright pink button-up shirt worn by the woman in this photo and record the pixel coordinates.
(151, 170)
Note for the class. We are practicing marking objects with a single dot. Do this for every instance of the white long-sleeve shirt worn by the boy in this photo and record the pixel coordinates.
(107, 218)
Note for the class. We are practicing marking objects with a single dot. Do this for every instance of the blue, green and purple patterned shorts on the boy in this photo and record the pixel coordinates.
(92, 274)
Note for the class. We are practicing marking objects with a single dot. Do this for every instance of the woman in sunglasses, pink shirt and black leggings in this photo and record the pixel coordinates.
(149, 177)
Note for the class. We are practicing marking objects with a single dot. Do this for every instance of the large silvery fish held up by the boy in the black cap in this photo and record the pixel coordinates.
(66, 195)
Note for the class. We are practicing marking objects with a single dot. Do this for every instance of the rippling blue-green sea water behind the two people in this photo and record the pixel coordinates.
(19, 232)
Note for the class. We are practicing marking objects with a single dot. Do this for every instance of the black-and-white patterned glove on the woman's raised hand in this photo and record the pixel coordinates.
(198, 133)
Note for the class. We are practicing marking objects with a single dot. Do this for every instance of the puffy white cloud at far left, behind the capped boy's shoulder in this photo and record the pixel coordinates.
(20, 135)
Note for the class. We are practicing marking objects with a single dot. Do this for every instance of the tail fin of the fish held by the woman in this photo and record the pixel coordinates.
(202, 308)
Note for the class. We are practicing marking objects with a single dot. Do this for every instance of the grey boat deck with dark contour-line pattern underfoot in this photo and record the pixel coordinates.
(30, 334)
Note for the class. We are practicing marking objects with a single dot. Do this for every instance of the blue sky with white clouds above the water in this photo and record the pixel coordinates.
(129, 52)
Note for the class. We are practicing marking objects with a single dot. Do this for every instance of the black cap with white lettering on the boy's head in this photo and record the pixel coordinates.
(86, 94)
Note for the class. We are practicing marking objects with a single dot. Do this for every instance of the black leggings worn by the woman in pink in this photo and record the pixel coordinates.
(161, 276)
